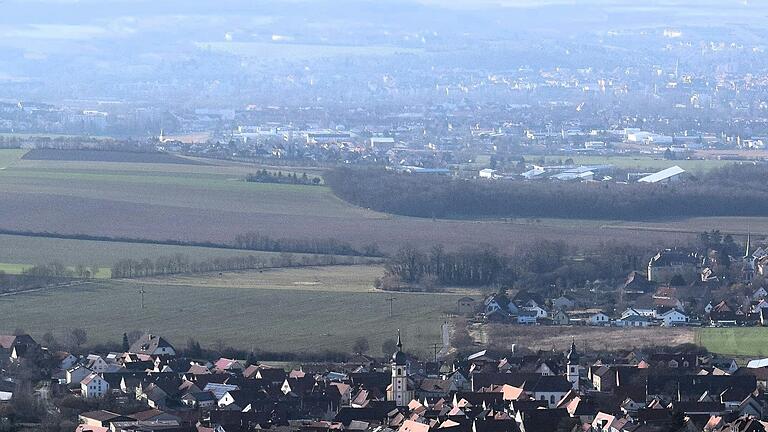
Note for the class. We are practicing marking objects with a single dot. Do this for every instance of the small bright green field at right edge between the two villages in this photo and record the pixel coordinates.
(742, 341)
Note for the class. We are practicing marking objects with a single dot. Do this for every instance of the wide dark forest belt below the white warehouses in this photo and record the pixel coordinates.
(731, 191)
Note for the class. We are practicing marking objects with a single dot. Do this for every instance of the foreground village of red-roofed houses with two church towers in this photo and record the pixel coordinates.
(152, 386)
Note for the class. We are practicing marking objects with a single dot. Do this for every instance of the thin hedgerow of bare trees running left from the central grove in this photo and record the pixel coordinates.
(182, 264)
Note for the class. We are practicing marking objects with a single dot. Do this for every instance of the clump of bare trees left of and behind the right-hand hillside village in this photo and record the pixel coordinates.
(544, 265)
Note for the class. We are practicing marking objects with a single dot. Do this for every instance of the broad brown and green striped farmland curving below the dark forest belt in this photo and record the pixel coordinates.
(213, 203)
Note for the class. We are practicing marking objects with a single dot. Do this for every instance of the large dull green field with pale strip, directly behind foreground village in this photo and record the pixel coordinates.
(263, 316)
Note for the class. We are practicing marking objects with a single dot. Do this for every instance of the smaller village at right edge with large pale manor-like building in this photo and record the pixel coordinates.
(681, 287)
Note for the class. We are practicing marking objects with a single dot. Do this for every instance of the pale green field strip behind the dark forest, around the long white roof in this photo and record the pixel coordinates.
(640, 163)
